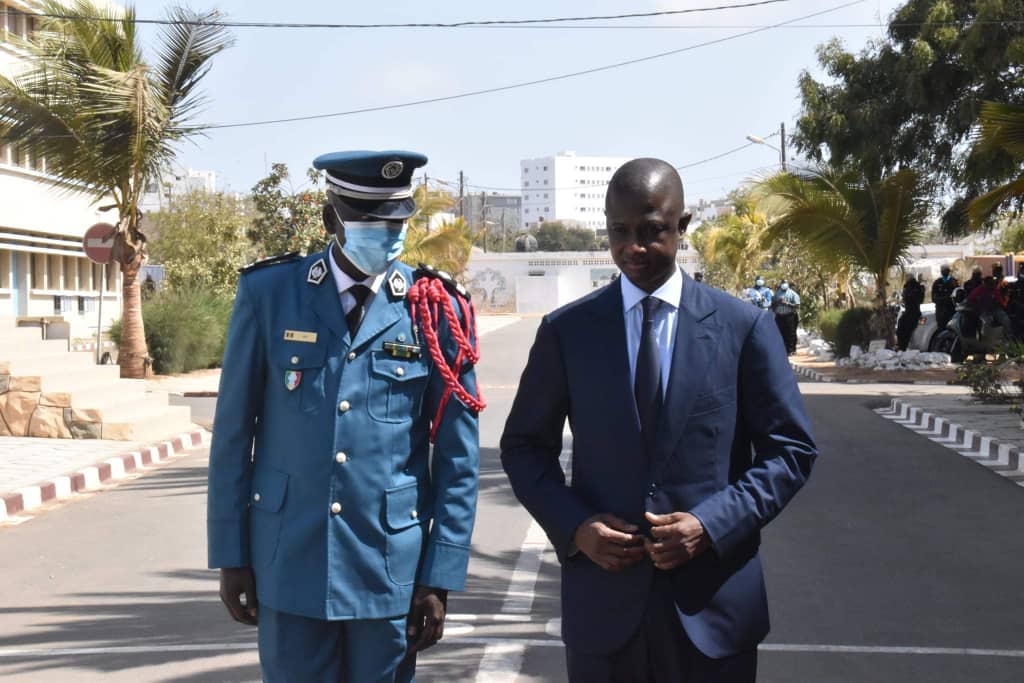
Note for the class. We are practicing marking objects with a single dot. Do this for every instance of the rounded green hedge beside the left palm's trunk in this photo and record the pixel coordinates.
(186, 330)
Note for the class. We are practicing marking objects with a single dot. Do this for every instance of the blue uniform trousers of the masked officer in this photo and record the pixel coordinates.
(300, 650)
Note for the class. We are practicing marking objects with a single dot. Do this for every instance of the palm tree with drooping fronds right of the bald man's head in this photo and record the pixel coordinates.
(839, 215)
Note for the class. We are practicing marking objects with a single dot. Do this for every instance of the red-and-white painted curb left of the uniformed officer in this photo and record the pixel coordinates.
(90, 479)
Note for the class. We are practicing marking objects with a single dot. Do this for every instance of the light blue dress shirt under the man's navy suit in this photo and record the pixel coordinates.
(665, 323)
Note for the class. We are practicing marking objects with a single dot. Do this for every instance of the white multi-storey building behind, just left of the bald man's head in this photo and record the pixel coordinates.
(567, 188)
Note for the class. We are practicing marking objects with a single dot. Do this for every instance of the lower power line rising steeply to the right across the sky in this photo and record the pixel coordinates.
(525, 84)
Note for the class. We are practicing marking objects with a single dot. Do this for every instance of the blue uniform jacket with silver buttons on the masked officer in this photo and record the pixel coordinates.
(356, 433)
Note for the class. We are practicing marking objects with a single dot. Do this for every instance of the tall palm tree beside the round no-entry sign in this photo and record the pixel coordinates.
(106, 121)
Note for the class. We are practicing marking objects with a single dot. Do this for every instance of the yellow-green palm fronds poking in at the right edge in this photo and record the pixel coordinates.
(1002, 127)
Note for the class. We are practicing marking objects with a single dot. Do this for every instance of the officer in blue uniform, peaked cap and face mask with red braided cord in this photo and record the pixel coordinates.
(328, 511)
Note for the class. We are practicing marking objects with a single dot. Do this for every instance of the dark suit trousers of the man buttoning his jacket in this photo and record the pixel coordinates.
(661, 653)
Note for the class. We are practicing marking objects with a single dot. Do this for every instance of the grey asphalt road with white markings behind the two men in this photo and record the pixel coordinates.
(902, 562)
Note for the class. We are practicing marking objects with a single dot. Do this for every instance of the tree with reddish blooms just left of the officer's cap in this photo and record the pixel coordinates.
(286, 220)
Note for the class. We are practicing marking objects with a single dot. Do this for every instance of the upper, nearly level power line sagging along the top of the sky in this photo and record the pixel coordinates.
(432, 25)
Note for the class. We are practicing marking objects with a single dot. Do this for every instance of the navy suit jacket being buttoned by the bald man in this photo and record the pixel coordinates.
(731, 389)
